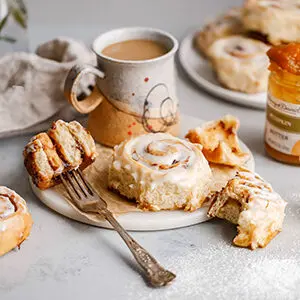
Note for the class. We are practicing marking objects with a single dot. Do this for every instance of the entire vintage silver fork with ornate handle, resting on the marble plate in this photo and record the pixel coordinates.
(87, 200)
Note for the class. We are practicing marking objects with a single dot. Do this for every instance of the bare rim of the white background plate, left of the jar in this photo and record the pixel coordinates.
(200, 71)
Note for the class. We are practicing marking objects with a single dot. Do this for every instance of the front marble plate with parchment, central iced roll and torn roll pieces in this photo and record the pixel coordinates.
(150, 182)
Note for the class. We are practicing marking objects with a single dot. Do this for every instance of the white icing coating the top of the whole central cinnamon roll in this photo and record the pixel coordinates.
(160, 157)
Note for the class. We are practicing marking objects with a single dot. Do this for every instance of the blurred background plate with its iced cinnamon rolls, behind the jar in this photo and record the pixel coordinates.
(227, 57)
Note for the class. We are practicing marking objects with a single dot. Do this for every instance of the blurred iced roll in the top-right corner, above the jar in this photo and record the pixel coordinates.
(278, 20)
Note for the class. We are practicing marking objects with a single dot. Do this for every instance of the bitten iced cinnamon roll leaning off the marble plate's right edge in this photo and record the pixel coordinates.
(251, 203)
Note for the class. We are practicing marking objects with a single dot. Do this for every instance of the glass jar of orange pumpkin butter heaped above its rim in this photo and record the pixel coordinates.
(282, 131)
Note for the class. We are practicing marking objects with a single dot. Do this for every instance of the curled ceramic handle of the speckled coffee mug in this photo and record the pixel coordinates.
(71, 84)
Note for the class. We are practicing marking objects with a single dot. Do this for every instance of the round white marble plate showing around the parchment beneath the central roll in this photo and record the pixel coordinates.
(137, 221)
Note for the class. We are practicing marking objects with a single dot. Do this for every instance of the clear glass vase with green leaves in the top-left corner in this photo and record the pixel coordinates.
(13, 26)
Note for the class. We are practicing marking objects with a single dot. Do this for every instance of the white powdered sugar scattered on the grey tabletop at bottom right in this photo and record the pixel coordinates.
(218, 270)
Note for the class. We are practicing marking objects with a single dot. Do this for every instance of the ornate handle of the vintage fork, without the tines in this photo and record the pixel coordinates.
(156, 274)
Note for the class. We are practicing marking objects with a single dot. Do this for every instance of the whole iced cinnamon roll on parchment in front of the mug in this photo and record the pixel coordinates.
(160, 172)
